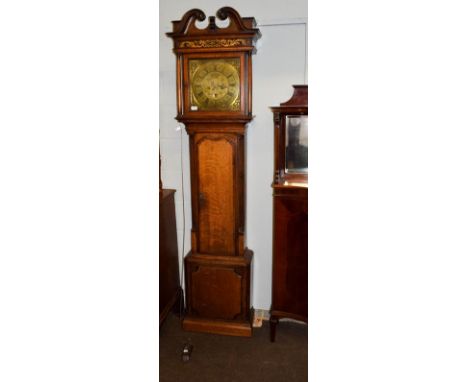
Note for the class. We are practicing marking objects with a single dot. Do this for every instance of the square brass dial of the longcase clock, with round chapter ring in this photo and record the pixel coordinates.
(214, 84)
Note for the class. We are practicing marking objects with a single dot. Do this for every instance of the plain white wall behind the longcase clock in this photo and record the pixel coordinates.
(279, 63)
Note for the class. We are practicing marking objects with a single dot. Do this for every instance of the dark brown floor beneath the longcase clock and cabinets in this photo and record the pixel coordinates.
(225, 358)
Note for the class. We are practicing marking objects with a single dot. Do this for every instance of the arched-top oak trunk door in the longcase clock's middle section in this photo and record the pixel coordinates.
(216, 154)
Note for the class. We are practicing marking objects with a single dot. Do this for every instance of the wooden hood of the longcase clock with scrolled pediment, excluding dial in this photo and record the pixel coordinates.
(237, 40)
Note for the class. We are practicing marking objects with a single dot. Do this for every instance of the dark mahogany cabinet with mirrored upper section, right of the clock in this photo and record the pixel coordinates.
(289, 286)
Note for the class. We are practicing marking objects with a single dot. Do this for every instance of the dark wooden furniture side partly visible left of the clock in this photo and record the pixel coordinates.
(169, 281)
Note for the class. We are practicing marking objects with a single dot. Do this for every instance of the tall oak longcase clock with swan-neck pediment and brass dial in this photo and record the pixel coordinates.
(214, 102)
